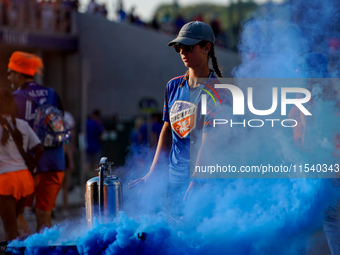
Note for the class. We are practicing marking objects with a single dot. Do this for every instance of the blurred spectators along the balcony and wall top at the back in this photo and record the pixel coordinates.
(55, 16)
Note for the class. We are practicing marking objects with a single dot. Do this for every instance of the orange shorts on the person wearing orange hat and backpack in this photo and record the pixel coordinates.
(47, 186)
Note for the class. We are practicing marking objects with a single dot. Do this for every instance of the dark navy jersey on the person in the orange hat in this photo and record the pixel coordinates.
(27, 98)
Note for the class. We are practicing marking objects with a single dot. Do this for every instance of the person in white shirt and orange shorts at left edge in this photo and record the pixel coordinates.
(16, 182)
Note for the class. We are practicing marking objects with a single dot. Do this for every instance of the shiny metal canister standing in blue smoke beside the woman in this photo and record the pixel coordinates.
(103, 195)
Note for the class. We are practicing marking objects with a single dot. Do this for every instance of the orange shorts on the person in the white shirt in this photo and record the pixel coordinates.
(18, 184)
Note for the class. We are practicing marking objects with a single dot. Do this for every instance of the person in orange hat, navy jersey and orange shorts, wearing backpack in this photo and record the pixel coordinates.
(31, 96)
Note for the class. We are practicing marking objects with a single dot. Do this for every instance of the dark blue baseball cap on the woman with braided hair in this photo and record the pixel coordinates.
(193, 33)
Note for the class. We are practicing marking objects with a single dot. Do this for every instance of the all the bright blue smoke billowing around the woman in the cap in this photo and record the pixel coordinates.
(237, 216)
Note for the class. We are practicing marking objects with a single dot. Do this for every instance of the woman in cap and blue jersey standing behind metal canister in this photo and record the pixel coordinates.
(183, 122)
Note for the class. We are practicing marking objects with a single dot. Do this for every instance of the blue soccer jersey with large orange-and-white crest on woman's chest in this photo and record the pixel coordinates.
(182, 109)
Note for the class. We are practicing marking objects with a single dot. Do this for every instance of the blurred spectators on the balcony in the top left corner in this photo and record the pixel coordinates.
(46, 15)
